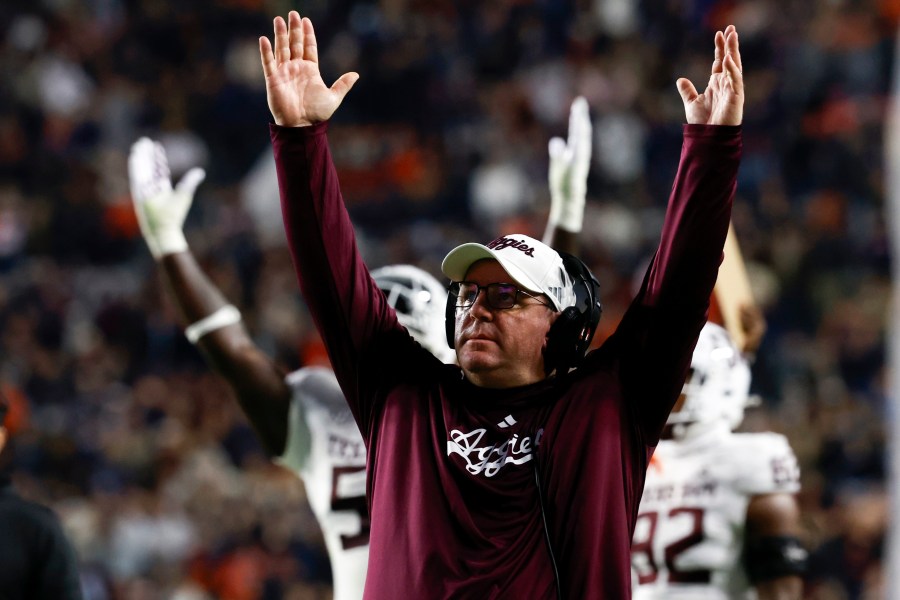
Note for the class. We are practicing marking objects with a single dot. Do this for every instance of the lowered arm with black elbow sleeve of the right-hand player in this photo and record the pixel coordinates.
(774, 558)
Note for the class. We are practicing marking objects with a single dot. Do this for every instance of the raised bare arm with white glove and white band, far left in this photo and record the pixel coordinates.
(213, 324)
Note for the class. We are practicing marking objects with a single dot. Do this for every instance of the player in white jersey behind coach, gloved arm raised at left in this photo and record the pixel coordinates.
(301, 417)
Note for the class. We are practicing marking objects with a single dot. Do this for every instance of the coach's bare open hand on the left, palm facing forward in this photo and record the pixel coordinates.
(294, 87)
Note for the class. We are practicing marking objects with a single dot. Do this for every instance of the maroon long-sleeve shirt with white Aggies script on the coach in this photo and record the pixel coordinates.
(452, 490)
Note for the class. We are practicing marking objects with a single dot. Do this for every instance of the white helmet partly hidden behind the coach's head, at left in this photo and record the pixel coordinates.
(418, 298)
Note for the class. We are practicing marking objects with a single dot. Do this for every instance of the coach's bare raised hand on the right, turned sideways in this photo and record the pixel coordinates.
(723, 101)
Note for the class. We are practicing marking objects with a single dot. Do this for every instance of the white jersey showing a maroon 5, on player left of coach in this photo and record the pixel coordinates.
(325, 449)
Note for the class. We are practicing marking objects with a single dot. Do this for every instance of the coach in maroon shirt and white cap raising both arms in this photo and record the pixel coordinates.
(509, 476)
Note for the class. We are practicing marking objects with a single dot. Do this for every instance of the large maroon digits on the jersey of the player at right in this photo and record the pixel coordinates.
(672, 550)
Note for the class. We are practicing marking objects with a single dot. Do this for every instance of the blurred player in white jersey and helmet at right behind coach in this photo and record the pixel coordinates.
(718, 518)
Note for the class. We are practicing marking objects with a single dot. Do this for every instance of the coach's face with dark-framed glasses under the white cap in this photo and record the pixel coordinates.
(501, 348)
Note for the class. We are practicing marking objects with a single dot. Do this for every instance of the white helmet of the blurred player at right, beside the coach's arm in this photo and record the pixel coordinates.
(717, 389)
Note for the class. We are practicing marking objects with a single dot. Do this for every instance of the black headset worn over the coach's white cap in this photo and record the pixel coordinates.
(571, 334)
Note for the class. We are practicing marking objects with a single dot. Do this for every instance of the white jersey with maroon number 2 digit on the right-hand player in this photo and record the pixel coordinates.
(689, 534)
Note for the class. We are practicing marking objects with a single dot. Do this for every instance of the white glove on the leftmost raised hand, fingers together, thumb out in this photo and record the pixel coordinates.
(160, 210)
